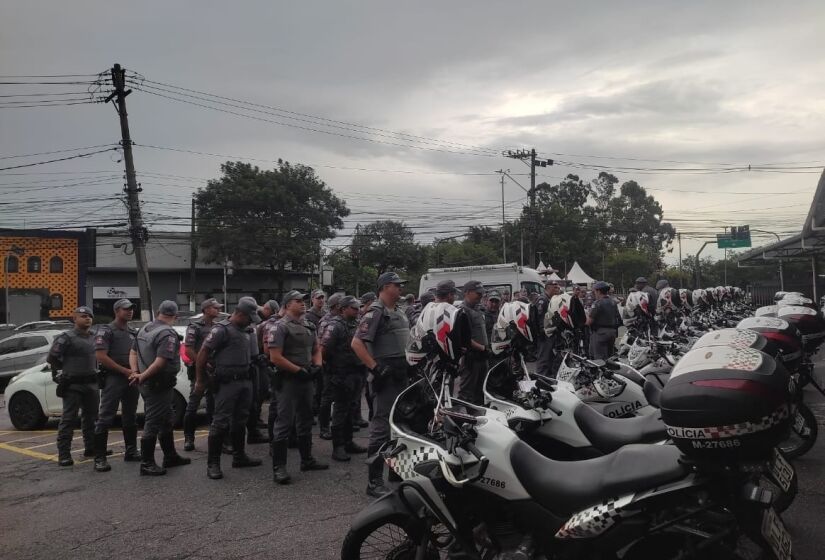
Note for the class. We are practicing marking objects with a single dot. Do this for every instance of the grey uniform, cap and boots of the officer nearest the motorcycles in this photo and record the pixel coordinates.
(384, 332)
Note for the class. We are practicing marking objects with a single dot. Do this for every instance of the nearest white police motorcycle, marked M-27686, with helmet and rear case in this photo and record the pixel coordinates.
(472, 489)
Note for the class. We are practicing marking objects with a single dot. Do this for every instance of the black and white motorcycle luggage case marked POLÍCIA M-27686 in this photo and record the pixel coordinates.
(727, 404)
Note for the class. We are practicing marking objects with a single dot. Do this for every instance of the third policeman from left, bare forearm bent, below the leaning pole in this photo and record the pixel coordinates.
(155, 362)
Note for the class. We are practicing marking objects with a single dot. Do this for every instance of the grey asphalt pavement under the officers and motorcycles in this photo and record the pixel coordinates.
(47, 511)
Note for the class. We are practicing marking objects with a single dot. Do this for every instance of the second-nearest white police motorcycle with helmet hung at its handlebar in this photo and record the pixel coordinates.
(547, 413)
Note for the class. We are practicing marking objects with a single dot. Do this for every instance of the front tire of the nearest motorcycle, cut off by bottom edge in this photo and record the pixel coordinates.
(394, 537)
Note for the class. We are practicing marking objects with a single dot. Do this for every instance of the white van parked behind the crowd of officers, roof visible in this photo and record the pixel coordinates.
(506, 278)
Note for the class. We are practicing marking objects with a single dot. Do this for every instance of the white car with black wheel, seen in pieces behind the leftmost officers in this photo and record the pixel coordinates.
(32, 398)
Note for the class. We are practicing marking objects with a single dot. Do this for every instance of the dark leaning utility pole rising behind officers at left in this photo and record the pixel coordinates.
(137, 231)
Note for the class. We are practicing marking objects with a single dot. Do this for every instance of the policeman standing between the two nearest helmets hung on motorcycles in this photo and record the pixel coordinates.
(474, 365)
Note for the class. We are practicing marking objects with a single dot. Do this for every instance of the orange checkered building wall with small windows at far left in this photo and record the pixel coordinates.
(64, 283)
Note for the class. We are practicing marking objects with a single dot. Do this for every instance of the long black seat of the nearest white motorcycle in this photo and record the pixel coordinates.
(567, 487)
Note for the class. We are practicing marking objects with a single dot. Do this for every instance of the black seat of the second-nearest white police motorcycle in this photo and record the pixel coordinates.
(609, 434)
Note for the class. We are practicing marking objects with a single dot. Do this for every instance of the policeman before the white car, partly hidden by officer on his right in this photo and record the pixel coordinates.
(196, 333)
